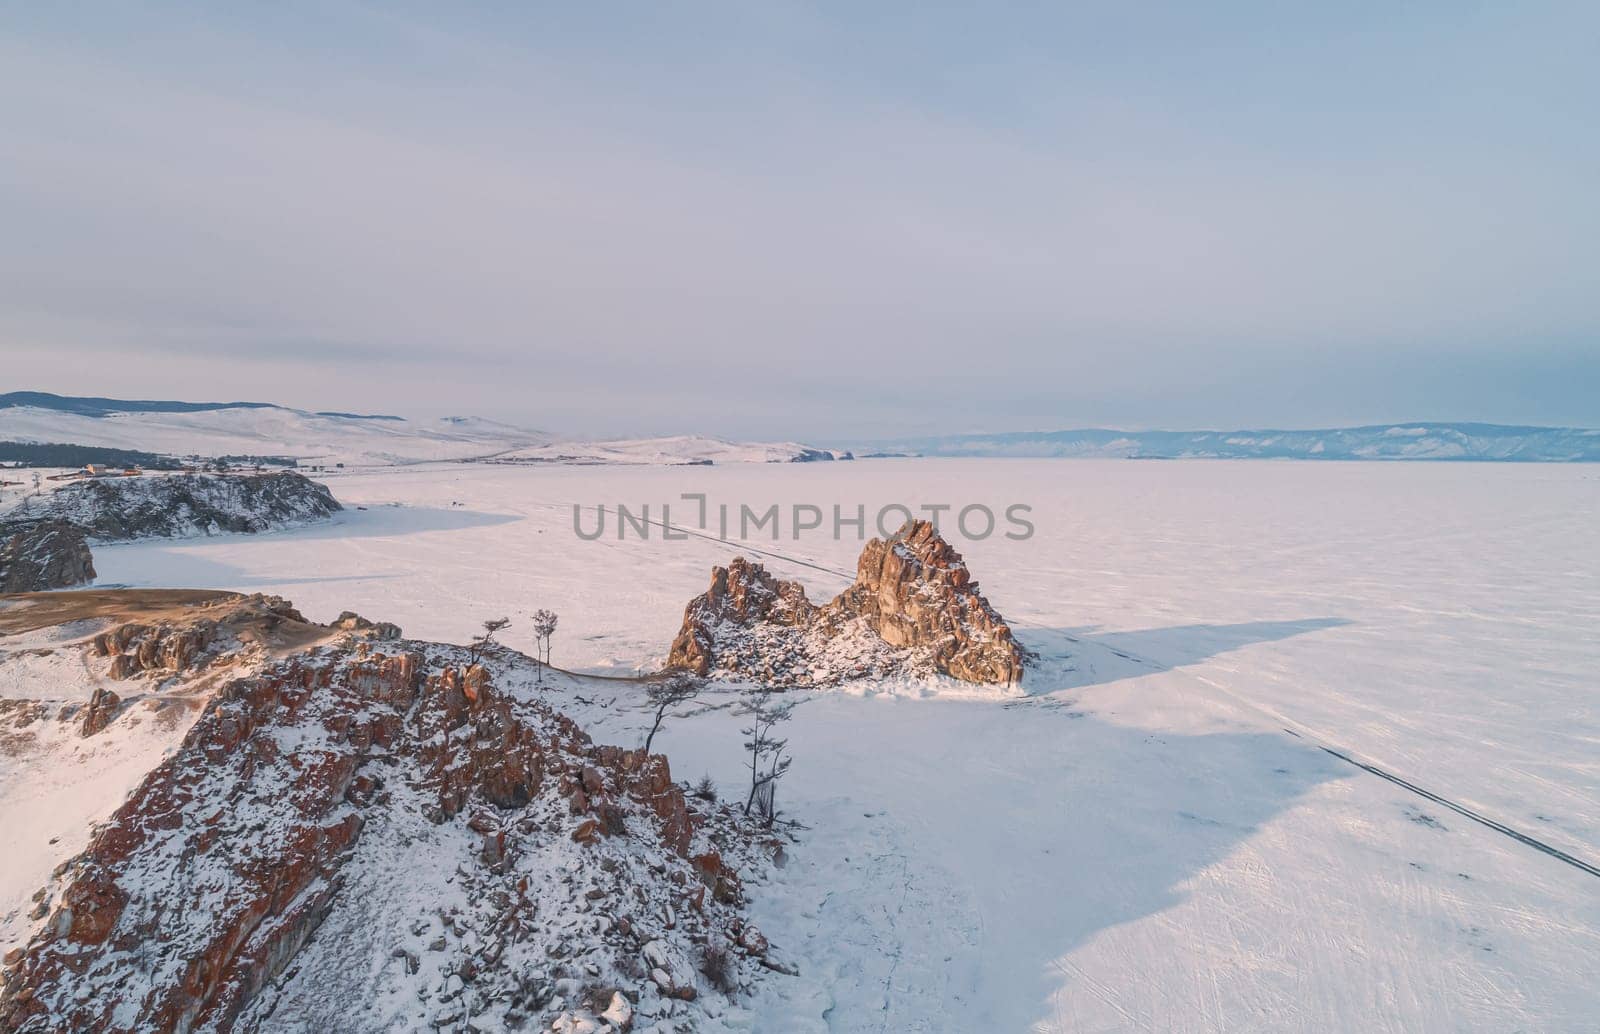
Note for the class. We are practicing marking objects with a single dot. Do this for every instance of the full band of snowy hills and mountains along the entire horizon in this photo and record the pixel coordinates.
(268, 430)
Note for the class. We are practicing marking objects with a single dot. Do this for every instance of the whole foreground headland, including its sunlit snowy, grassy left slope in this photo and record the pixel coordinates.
(366, 833)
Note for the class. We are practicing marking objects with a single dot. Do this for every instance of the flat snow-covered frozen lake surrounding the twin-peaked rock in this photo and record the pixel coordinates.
(1151, 836)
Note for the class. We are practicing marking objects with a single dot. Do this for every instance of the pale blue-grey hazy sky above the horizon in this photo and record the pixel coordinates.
(770, 220)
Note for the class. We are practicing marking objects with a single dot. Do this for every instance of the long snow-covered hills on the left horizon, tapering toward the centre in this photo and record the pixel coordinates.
(265, 430)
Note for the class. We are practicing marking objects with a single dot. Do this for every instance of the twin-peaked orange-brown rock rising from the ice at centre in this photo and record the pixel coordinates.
(913, 609)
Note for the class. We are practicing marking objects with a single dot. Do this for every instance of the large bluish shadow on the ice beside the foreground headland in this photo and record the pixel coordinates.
(959, 852)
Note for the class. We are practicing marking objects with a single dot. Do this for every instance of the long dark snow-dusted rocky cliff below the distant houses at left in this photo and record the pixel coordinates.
(185, 505)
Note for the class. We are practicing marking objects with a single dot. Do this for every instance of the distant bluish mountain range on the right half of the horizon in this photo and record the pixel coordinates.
(1422, 441)
